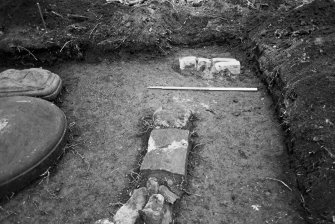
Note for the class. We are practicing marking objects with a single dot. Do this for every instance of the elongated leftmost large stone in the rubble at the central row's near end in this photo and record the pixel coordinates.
(128, 213)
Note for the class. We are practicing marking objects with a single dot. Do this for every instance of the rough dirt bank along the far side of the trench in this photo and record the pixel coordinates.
(73, 26)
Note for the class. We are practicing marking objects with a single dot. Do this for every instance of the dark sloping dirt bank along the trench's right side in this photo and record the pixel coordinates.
(295, 51)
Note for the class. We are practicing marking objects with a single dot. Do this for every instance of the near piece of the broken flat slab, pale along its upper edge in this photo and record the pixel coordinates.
(172, 158)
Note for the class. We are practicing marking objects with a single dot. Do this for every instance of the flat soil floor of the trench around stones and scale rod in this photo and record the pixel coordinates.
(237, 173)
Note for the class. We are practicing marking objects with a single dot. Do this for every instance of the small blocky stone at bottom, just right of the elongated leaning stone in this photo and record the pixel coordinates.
(153, 211)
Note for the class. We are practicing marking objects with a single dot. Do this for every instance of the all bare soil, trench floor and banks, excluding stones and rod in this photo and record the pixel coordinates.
(107, 54)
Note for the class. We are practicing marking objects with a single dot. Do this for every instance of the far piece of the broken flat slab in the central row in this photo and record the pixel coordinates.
(163, 137)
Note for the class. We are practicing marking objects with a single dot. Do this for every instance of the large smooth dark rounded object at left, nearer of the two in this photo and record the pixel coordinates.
(32, 134)
